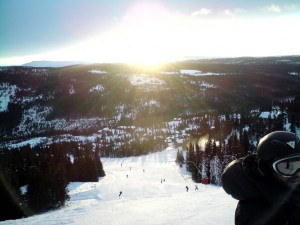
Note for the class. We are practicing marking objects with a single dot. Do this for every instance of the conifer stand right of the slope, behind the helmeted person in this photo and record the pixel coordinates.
(233, 138)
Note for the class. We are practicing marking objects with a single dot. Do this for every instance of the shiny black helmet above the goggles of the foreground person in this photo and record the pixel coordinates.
(278, 144)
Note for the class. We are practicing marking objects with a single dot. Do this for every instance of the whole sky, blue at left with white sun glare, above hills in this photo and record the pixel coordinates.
(146, 31)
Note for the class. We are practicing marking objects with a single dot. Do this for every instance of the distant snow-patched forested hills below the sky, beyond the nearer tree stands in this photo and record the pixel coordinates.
(119, 103)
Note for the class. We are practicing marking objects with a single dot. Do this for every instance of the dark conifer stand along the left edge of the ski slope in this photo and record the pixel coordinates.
(35, 179)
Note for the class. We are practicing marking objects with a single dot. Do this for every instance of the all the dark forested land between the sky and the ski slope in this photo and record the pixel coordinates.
(212, 111)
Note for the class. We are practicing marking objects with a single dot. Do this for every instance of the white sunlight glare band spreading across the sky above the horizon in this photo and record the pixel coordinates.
(149, 35)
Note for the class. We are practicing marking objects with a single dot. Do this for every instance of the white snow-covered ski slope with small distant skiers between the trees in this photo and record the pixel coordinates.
(146, 198)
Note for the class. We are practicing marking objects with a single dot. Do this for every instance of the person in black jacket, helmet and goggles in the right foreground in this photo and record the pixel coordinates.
(267, 183)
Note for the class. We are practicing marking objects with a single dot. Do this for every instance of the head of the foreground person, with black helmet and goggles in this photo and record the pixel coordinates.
(278, 156)
